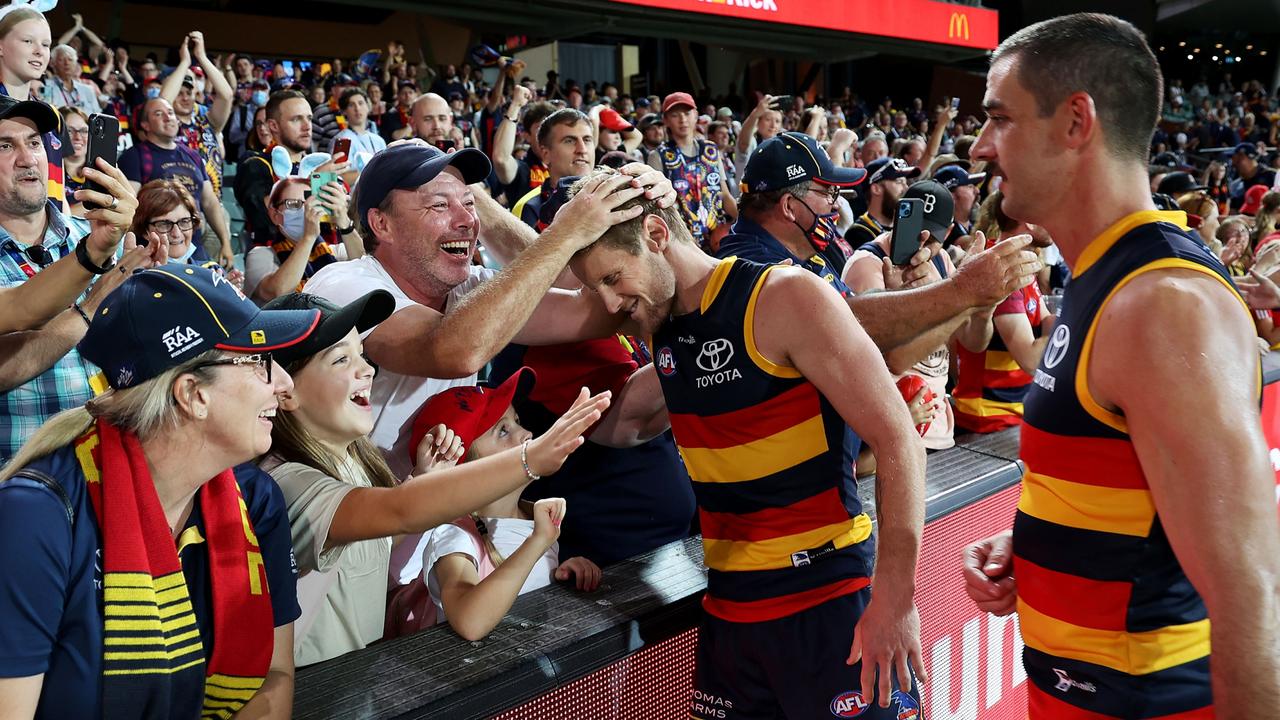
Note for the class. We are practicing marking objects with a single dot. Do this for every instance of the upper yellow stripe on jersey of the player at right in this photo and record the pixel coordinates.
(1124, 512)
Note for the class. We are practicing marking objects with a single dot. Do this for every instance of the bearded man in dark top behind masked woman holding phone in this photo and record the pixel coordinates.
(289, 117)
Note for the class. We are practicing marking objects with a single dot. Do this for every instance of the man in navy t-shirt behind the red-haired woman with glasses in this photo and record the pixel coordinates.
(162, 157)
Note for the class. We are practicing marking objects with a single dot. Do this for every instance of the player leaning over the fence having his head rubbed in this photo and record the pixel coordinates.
(758, 407)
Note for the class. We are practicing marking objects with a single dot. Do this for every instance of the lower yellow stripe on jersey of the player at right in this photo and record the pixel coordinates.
(1136, 654)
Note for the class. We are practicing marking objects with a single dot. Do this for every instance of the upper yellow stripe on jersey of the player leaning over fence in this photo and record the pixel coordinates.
(757, 459)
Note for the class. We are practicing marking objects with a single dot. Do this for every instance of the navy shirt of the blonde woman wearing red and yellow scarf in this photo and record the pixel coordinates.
(51, 582)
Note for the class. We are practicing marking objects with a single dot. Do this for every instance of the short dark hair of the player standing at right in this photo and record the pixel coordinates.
(1103, 56)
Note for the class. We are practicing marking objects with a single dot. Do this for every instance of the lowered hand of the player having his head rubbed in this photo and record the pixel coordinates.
(888, 642)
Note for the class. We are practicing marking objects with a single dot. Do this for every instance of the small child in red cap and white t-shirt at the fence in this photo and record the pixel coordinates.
(479, 564)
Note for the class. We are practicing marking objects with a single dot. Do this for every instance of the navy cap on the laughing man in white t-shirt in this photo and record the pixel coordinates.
(412, 166)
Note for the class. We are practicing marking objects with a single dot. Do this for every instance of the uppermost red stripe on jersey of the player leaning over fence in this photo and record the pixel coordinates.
(749, 425)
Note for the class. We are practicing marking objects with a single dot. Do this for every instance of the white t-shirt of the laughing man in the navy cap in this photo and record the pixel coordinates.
(396, 399)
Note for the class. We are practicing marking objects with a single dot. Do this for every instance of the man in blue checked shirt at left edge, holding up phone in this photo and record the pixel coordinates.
(42, 373)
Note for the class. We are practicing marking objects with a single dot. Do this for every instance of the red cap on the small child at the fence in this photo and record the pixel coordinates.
(470, 412)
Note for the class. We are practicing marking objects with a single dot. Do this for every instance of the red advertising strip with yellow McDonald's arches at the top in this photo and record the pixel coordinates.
(925, 21)
